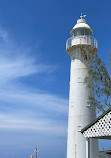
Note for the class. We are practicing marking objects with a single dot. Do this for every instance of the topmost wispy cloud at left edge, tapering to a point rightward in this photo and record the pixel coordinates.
(17, 62)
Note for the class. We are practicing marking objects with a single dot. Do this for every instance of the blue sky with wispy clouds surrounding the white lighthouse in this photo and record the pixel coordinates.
(34, 71)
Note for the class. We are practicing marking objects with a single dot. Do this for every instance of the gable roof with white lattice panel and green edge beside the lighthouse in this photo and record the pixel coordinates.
(100, 127)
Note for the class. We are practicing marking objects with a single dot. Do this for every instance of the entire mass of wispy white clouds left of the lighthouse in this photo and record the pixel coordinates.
(42, 110)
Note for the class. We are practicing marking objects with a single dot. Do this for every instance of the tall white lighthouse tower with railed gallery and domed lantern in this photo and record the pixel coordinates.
(81, 47)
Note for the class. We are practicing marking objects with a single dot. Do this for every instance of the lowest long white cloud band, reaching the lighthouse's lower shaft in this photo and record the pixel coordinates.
(12, 122)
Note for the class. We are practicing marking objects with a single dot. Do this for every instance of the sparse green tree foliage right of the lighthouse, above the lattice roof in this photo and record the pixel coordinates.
(100, 80)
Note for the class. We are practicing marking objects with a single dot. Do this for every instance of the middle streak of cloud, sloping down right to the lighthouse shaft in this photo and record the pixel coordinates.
(42, 101)
